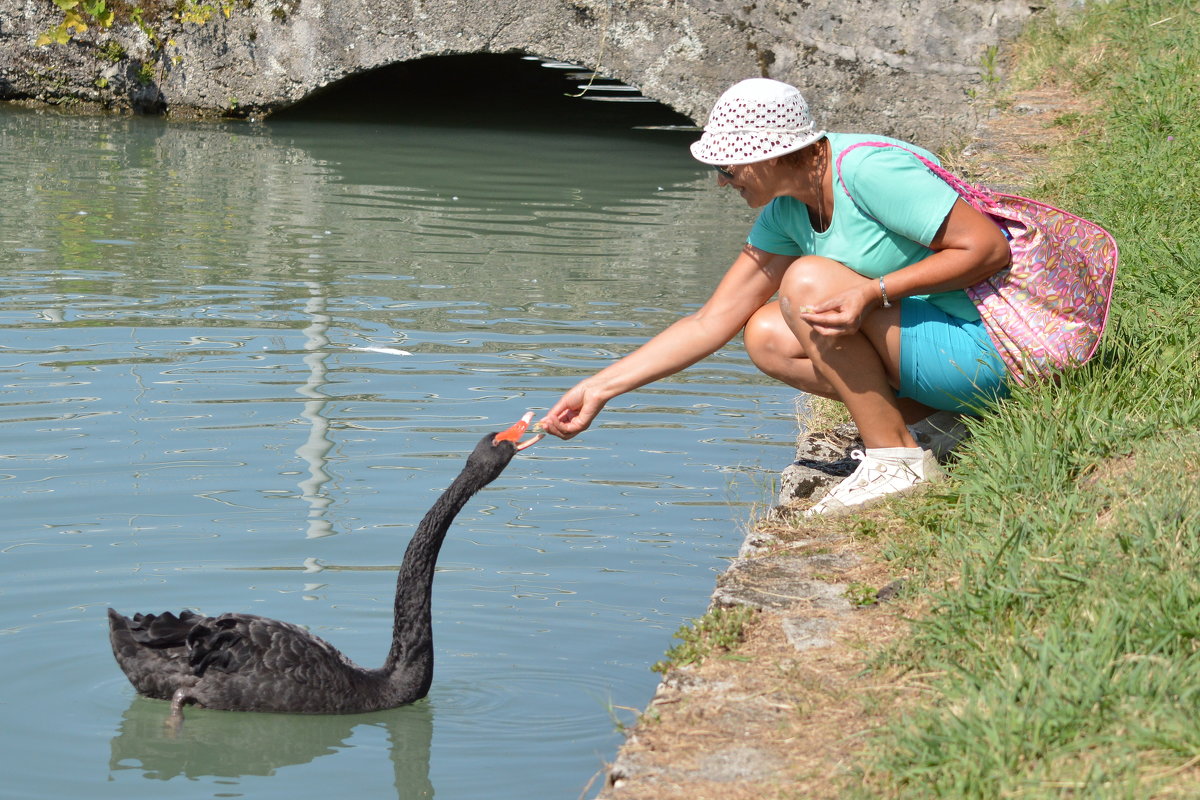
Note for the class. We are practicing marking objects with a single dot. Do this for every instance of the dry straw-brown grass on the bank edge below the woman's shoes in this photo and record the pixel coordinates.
(795, 720)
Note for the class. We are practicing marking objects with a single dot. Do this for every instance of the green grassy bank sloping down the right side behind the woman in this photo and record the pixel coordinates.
(1063, 563)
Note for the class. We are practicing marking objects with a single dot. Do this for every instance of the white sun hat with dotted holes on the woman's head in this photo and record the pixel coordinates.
(757, 119)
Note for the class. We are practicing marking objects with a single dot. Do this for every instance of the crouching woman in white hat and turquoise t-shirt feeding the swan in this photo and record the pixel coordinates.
(868, 254)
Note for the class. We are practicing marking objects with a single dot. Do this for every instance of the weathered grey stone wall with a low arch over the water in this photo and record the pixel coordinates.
(892, 67)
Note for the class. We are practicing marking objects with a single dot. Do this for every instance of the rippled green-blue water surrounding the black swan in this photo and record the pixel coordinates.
(187, 423)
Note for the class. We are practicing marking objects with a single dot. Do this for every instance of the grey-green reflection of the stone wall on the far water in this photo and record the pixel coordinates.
(503, 218)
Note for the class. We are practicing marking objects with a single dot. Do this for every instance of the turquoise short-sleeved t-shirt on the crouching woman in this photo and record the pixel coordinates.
(898, 208)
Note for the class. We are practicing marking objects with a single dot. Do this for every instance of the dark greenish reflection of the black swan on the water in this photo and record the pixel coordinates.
(223, 745)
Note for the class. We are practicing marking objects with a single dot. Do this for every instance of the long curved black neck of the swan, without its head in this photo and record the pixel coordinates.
(411, 659)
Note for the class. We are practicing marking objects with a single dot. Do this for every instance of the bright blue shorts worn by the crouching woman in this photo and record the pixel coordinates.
(946, 363)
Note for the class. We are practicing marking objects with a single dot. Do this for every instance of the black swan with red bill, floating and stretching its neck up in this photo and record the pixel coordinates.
(243, 663)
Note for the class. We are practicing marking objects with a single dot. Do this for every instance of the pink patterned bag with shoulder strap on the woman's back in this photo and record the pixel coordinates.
(1047, 311)
